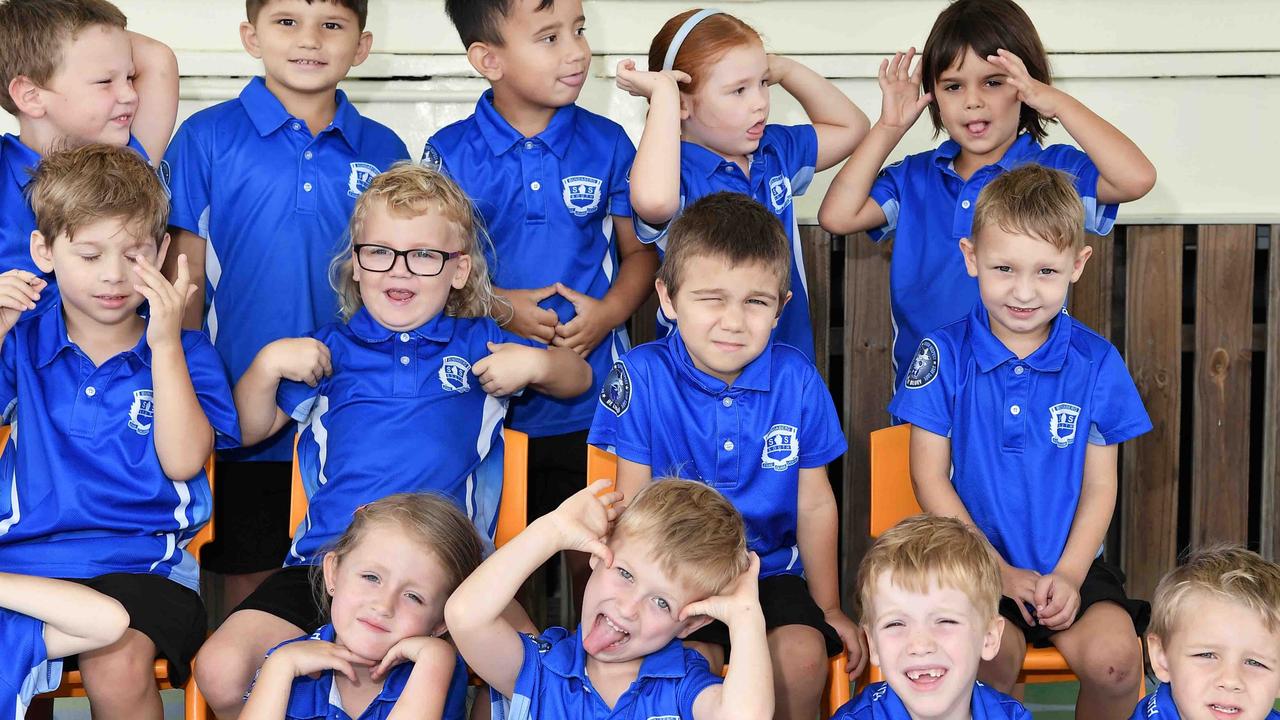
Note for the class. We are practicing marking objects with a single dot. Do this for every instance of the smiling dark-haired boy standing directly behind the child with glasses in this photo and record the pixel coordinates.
(263, 188)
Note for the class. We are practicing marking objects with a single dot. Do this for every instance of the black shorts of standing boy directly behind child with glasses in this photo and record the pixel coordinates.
(252, 518)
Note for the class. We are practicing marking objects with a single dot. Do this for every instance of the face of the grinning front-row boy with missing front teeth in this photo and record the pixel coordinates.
(930, 646)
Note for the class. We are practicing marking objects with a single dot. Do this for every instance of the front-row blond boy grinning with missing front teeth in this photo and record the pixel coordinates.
(930, 591)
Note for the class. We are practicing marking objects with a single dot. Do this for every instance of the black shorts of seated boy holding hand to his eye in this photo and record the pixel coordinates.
(170, 616)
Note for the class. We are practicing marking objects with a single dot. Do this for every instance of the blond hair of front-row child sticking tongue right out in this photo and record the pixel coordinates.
(692, 532)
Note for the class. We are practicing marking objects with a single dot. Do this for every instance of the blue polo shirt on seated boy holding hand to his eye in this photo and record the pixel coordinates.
(85, 494)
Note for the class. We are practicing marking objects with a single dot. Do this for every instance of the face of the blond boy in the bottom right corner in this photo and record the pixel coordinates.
(1220, 662)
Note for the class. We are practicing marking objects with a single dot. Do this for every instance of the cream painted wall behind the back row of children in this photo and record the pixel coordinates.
(1195, 83)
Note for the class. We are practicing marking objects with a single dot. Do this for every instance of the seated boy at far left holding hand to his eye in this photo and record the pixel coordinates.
(118, 414)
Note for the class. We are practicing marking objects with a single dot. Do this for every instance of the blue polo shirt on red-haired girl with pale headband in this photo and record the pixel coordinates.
(781, 168)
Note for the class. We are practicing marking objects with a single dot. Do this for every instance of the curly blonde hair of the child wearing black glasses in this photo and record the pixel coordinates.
(410, 192)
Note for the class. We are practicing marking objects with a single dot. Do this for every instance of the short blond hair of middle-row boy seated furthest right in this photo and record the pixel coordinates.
(1034, 200)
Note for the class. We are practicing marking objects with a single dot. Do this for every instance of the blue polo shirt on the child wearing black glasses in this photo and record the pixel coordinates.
(401, 412)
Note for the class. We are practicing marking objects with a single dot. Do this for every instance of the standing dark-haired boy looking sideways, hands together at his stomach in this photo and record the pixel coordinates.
(551, 183)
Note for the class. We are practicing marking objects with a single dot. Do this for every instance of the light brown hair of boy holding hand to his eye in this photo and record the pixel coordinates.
(79, 188)
